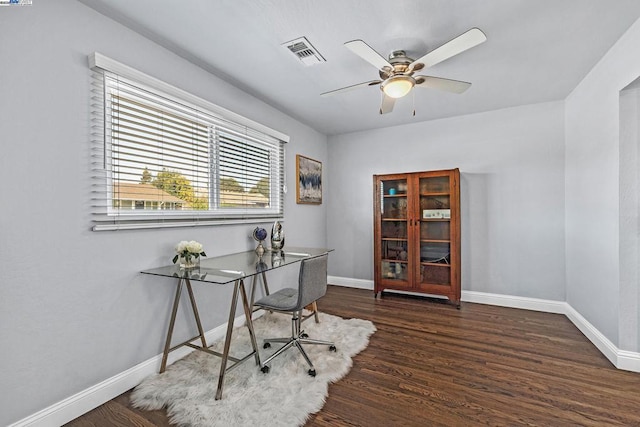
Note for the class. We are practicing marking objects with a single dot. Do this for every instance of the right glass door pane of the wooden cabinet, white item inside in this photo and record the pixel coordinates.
(435, 230)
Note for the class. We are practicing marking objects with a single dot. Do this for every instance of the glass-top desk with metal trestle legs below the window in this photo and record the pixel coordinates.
(223, 270)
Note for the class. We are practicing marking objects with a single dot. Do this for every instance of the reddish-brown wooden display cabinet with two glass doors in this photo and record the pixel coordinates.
(417, 233)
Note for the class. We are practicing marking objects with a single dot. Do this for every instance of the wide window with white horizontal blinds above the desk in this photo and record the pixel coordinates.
(163, 157)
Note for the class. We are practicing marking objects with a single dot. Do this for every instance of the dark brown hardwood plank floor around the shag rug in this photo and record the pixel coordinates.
(430, 364)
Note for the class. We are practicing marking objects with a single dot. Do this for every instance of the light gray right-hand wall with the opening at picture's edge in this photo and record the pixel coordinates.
(595, 286)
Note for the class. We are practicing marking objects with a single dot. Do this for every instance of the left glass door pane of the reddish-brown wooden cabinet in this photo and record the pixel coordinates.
(393, 230)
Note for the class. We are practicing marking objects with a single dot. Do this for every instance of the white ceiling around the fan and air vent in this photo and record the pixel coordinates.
(537, 50)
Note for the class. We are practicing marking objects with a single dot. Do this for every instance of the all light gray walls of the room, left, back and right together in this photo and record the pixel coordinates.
(74, 310)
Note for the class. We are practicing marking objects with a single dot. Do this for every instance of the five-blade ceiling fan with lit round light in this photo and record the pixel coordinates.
(397, 73)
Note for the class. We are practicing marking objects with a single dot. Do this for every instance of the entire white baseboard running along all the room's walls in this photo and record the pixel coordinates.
(81, 403)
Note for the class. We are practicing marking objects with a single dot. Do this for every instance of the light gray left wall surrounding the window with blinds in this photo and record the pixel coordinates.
(74, 310)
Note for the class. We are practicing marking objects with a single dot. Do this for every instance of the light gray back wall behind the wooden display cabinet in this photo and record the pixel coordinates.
(512, 194)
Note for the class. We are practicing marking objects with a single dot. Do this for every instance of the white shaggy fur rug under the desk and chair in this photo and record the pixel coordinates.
(285, 396)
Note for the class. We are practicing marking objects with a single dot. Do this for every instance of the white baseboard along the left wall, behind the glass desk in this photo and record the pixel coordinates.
(86, 400)
